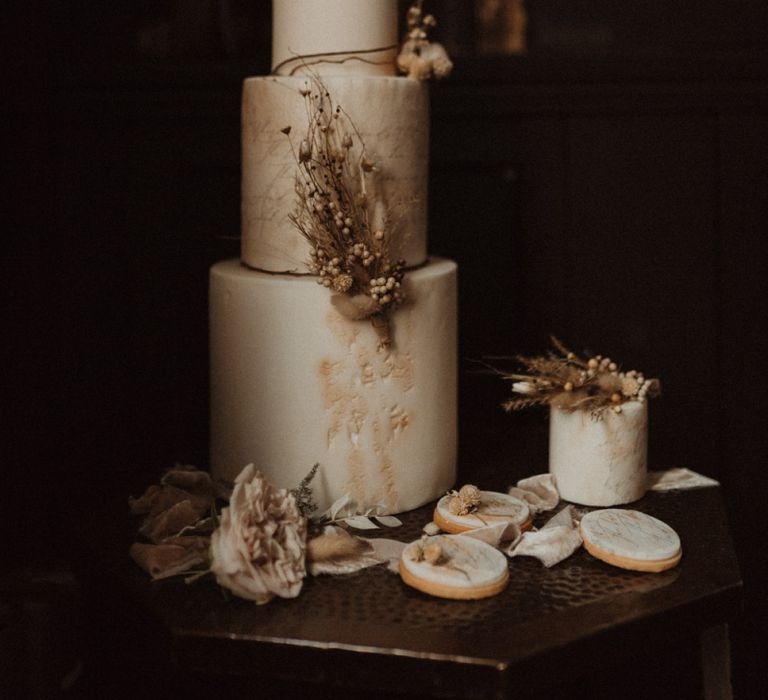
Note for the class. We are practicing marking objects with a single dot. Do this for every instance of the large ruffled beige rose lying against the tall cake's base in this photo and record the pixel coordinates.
(258, 550)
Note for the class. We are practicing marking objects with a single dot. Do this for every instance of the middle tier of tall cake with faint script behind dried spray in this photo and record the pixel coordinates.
(391, 119)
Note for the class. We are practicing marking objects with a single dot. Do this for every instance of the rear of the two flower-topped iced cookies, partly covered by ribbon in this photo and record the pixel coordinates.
(492, 508)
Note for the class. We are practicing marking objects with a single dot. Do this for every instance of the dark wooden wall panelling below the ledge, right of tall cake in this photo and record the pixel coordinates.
(623, 209)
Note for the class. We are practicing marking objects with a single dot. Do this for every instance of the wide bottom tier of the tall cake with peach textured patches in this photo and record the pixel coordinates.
(294, 383)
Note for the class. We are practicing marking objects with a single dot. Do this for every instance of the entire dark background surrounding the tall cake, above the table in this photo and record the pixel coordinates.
(609, 186)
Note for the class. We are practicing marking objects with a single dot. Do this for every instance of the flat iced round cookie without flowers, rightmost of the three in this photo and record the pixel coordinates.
(630, 540)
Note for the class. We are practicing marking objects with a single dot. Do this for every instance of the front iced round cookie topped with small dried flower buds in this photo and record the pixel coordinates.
(454, 566)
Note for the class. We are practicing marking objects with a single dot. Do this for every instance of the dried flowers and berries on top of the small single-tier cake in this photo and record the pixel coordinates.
(565, 380)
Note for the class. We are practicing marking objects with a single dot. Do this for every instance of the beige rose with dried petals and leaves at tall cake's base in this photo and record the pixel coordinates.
(257, 540)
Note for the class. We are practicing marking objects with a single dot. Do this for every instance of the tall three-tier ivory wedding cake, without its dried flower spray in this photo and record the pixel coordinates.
(293, 380)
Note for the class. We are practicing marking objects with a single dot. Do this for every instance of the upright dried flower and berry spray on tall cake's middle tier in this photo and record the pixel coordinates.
(348, 252)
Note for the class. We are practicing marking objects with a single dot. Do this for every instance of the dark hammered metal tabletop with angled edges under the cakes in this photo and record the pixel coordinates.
(368, 629)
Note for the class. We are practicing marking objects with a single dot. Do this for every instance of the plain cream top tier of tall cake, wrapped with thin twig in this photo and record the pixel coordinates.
(334, 37)
